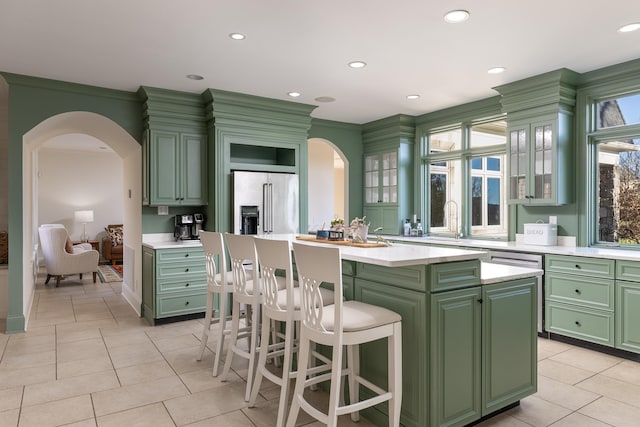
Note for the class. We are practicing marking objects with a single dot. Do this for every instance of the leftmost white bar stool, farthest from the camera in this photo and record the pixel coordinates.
(220, 283)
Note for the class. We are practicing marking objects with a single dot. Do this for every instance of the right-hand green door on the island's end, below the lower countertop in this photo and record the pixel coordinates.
(509, 343)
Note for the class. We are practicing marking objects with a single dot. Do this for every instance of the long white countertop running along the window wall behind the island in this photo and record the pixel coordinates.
(594, 252)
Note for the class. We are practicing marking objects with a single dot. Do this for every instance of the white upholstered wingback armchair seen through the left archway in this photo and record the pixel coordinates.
(53, 238)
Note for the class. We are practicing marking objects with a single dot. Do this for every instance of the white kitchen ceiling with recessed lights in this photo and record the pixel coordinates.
(304, 46)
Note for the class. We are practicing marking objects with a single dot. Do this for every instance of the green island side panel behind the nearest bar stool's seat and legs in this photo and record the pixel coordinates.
(412, 306)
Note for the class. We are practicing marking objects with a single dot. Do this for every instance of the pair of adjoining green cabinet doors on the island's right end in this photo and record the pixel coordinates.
(483, 350)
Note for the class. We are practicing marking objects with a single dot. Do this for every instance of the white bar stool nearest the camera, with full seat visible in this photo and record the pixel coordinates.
(348, 323)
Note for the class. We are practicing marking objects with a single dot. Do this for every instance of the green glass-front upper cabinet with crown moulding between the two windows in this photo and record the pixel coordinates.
(540, 122)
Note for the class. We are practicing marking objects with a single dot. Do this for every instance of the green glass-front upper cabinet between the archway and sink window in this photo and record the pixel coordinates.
(388, 172)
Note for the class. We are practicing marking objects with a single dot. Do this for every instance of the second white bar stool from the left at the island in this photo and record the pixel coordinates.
(246, 291)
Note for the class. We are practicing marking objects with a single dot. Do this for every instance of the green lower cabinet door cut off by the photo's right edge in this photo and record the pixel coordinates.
(628, 316)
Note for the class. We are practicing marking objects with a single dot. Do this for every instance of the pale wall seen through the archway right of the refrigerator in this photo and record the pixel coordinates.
(321, 187)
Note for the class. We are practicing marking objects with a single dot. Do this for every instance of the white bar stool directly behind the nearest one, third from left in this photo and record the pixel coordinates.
(282, 306)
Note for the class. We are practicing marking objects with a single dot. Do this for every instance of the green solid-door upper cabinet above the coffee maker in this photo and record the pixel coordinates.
(175, 149)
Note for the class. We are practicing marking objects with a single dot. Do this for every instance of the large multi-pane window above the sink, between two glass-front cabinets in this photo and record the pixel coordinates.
(465, 189)
